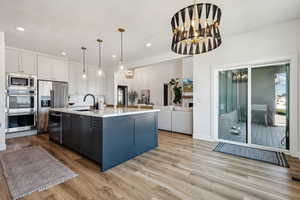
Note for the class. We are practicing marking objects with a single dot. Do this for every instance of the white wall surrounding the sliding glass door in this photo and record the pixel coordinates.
(280, 40)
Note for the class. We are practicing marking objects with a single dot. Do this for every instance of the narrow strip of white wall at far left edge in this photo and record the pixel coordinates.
(2, 91)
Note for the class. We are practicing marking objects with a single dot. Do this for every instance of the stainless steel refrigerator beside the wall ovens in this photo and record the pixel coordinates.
(51, 94)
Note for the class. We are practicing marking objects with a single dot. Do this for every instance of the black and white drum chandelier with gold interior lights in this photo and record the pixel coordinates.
(196, 29)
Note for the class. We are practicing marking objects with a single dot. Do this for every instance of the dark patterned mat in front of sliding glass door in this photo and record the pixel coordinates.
(272, 157)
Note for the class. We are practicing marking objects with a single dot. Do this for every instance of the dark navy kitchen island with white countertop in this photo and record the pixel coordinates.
(109, 136)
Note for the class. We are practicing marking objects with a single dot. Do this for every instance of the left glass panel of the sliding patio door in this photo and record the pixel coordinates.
(233, 105)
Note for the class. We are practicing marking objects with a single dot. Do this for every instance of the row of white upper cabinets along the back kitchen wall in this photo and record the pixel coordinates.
(52, 69)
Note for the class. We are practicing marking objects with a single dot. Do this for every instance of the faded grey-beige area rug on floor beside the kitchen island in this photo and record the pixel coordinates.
(32, 169)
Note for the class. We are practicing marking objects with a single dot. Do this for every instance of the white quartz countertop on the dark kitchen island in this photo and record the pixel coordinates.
(106, 112)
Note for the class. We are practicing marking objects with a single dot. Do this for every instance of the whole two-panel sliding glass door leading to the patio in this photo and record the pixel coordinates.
(253, 106)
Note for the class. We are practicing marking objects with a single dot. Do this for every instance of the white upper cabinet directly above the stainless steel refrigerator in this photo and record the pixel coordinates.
(52, 69)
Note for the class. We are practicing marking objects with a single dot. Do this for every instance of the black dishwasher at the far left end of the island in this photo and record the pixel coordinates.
(55, 127)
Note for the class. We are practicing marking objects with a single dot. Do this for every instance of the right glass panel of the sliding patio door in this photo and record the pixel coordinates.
(270, 106)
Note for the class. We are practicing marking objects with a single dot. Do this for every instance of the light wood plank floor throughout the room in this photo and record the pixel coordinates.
(180, 168)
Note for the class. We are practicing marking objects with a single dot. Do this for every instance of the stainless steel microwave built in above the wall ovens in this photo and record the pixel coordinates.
(16, 81)
